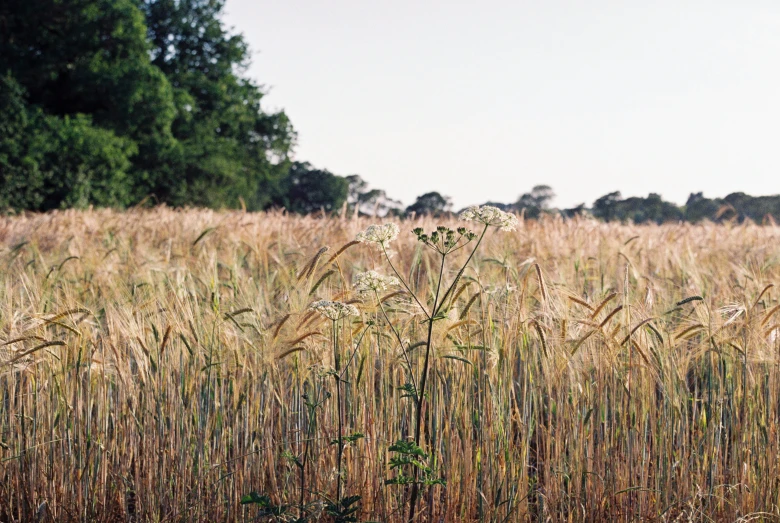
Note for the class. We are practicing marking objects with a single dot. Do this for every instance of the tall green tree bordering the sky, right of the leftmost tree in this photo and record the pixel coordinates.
(230, 148)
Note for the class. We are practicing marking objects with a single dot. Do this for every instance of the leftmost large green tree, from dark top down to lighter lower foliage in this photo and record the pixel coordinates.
(80, 100)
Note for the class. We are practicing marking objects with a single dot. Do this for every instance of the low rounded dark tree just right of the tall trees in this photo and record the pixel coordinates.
(307, 190)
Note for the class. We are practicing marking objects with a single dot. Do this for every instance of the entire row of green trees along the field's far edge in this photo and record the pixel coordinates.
(120, 102)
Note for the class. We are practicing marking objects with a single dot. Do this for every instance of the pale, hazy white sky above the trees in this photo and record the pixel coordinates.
(483, 100)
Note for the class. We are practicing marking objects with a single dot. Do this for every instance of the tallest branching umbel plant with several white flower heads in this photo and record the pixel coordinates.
(443, 241)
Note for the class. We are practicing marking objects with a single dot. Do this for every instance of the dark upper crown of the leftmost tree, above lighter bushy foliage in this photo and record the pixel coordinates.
(87, 57)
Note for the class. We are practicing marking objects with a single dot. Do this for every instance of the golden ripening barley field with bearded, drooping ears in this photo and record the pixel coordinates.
(154, 362)
